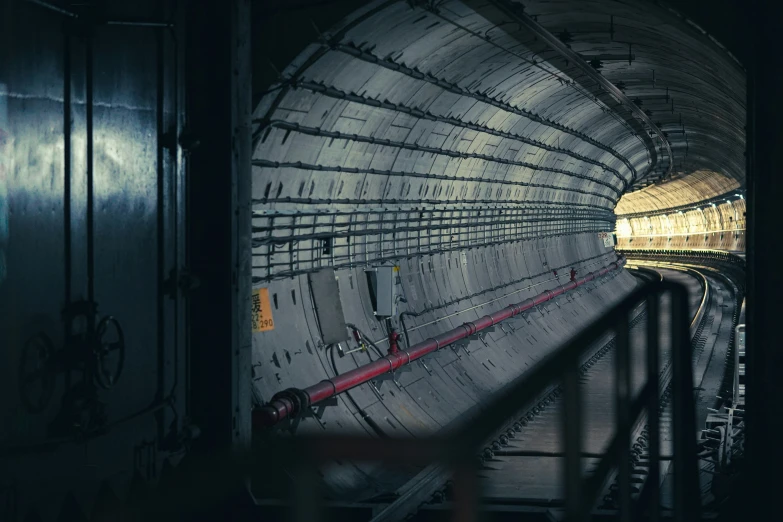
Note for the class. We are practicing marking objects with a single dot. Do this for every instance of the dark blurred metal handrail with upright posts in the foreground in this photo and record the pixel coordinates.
(458, 450)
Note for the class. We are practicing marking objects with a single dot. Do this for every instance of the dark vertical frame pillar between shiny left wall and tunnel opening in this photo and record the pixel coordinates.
(217, 144)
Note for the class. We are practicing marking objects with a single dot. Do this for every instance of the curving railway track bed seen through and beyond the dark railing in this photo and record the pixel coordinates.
(522, 467)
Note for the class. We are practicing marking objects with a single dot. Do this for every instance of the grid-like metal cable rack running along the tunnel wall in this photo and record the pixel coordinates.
(289, 242)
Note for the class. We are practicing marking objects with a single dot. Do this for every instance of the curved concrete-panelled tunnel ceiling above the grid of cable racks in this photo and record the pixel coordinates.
(446, 102)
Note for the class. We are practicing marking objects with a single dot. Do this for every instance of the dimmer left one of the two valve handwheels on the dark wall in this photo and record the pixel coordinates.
(36, 375)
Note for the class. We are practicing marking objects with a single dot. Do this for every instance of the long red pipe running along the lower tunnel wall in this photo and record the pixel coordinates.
(290, 402)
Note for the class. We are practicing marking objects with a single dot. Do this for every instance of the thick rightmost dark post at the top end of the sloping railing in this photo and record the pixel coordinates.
(687, 494)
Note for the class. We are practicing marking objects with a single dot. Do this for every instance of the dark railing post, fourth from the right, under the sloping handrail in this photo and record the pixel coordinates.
(571, 419)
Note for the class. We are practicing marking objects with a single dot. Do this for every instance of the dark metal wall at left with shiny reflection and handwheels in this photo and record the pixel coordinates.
(90, 216)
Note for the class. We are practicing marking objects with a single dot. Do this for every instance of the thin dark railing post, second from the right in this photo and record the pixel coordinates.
(653, 422)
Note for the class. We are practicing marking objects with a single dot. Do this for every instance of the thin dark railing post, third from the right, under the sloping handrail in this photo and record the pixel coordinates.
(622, 412)
